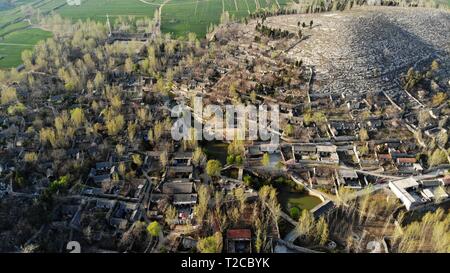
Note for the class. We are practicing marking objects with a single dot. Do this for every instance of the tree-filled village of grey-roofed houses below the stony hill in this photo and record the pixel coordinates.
(86, 152)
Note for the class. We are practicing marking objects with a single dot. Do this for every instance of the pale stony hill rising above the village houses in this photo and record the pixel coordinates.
(366, 49)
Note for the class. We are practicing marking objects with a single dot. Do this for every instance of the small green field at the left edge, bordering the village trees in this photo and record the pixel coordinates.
(13, 44)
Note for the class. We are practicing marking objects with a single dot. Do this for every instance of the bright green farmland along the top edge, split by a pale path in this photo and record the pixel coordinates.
(178, 16)
